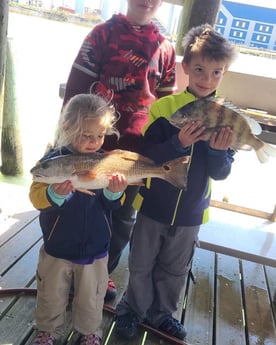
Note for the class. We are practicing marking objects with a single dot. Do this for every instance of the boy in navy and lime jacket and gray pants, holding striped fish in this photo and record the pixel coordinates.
(166, 231)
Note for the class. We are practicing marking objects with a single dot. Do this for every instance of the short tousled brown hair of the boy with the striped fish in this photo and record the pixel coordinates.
(204, 41)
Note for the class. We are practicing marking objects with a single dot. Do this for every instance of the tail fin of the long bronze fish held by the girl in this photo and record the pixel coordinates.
(176, 172)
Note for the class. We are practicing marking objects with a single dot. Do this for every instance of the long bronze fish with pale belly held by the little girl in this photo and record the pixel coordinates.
(92, 171)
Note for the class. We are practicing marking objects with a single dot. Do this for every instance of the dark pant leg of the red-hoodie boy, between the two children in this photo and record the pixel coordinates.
(123, 220)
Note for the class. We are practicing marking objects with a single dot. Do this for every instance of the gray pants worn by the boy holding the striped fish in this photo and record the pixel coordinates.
(159, 260)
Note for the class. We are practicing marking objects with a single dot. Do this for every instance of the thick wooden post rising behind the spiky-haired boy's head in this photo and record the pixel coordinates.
(194, 13)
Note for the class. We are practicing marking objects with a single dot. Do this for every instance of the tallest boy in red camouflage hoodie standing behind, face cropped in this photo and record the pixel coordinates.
(130, 62)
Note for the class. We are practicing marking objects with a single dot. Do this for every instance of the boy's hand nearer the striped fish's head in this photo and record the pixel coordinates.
(191, 133)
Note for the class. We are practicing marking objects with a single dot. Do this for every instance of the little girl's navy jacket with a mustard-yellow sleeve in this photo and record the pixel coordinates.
(80, 228)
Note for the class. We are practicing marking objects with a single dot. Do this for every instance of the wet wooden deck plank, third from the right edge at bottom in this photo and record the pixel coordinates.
(229, 307)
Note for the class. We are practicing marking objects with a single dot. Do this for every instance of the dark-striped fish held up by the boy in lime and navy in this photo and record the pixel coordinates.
(216, 113)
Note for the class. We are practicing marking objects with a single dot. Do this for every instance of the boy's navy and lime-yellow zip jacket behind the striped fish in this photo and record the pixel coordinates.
(160, 200)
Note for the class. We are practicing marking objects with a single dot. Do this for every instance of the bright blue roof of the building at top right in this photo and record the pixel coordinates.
(250, 12)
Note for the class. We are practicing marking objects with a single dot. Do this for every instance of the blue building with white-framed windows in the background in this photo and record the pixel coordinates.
(248, 25)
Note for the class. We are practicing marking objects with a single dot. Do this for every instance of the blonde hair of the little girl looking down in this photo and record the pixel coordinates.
(77, 111)
